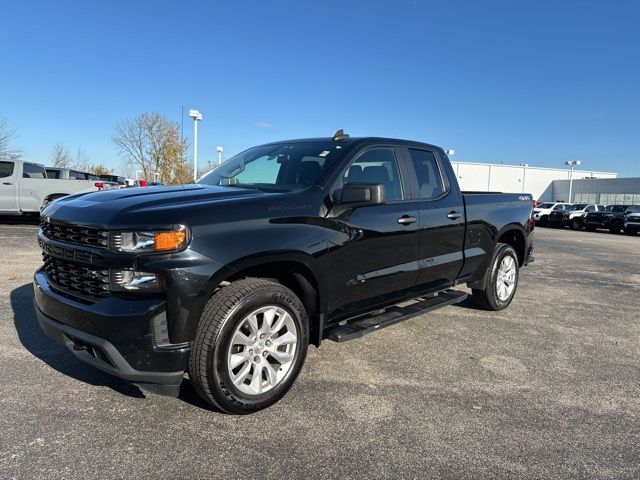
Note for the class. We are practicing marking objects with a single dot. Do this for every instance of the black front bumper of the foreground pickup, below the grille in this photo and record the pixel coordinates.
(117, 335)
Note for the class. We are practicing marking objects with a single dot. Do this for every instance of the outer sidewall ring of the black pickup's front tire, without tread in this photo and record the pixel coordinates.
(218, 376)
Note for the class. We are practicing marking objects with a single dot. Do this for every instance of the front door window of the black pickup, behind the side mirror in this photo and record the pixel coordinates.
(377, 165)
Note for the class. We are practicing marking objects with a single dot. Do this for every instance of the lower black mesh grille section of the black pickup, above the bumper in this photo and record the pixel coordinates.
(76, 277)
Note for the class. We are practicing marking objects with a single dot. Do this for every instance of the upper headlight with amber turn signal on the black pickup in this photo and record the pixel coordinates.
(143, 242)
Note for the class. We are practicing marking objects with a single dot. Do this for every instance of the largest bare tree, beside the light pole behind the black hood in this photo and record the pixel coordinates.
(151, 143)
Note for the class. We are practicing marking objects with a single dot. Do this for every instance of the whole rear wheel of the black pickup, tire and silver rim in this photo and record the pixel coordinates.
(501, 280)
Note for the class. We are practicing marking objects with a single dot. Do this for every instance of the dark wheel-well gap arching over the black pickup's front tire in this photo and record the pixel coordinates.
(295, 276)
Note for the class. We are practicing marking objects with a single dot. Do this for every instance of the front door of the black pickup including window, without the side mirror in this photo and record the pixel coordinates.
(374, 257)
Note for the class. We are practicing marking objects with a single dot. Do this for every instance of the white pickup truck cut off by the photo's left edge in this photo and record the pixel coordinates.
(25, 188)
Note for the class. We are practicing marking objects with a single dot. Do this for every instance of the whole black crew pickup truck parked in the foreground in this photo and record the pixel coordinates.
(281, 246)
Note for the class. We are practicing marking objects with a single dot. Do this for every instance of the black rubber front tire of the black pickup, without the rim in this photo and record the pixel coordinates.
(221, 316)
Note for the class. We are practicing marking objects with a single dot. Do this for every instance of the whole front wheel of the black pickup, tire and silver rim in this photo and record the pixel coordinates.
(250, 346)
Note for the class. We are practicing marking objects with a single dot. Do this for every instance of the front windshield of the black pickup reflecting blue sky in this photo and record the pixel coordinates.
(277, 167)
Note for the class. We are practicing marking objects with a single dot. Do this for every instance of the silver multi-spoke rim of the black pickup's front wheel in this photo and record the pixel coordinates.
(262, 350)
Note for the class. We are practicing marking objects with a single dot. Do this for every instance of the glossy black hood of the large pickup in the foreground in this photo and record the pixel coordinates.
(133, 207)
